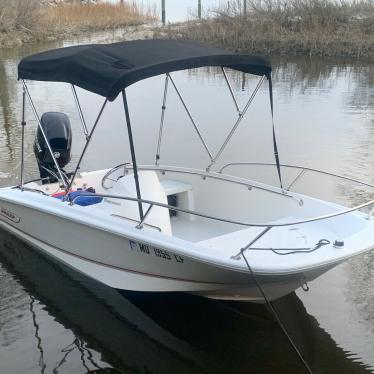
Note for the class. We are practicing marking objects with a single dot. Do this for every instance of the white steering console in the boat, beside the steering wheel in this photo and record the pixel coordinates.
(151, 189)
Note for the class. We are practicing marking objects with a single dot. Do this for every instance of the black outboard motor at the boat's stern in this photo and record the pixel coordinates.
(57, 129)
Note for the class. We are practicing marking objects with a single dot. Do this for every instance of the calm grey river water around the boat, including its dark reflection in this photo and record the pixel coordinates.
(53, 320)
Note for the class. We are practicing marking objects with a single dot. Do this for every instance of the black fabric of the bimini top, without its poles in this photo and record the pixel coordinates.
(107, 69)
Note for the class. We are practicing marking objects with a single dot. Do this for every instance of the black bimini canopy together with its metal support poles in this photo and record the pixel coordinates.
(108, 69)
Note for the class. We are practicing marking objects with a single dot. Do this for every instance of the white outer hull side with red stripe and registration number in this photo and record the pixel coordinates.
(122, 260)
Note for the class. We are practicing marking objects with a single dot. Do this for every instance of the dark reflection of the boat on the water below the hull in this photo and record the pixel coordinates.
(173, 332)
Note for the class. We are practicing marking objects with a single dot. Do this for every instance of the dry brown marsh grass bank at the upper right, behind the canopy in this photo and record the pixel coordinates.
(313, 27)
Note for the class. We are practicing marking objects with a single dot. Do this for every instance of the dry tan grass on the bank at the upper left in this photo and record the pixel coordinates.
(31, 20)
